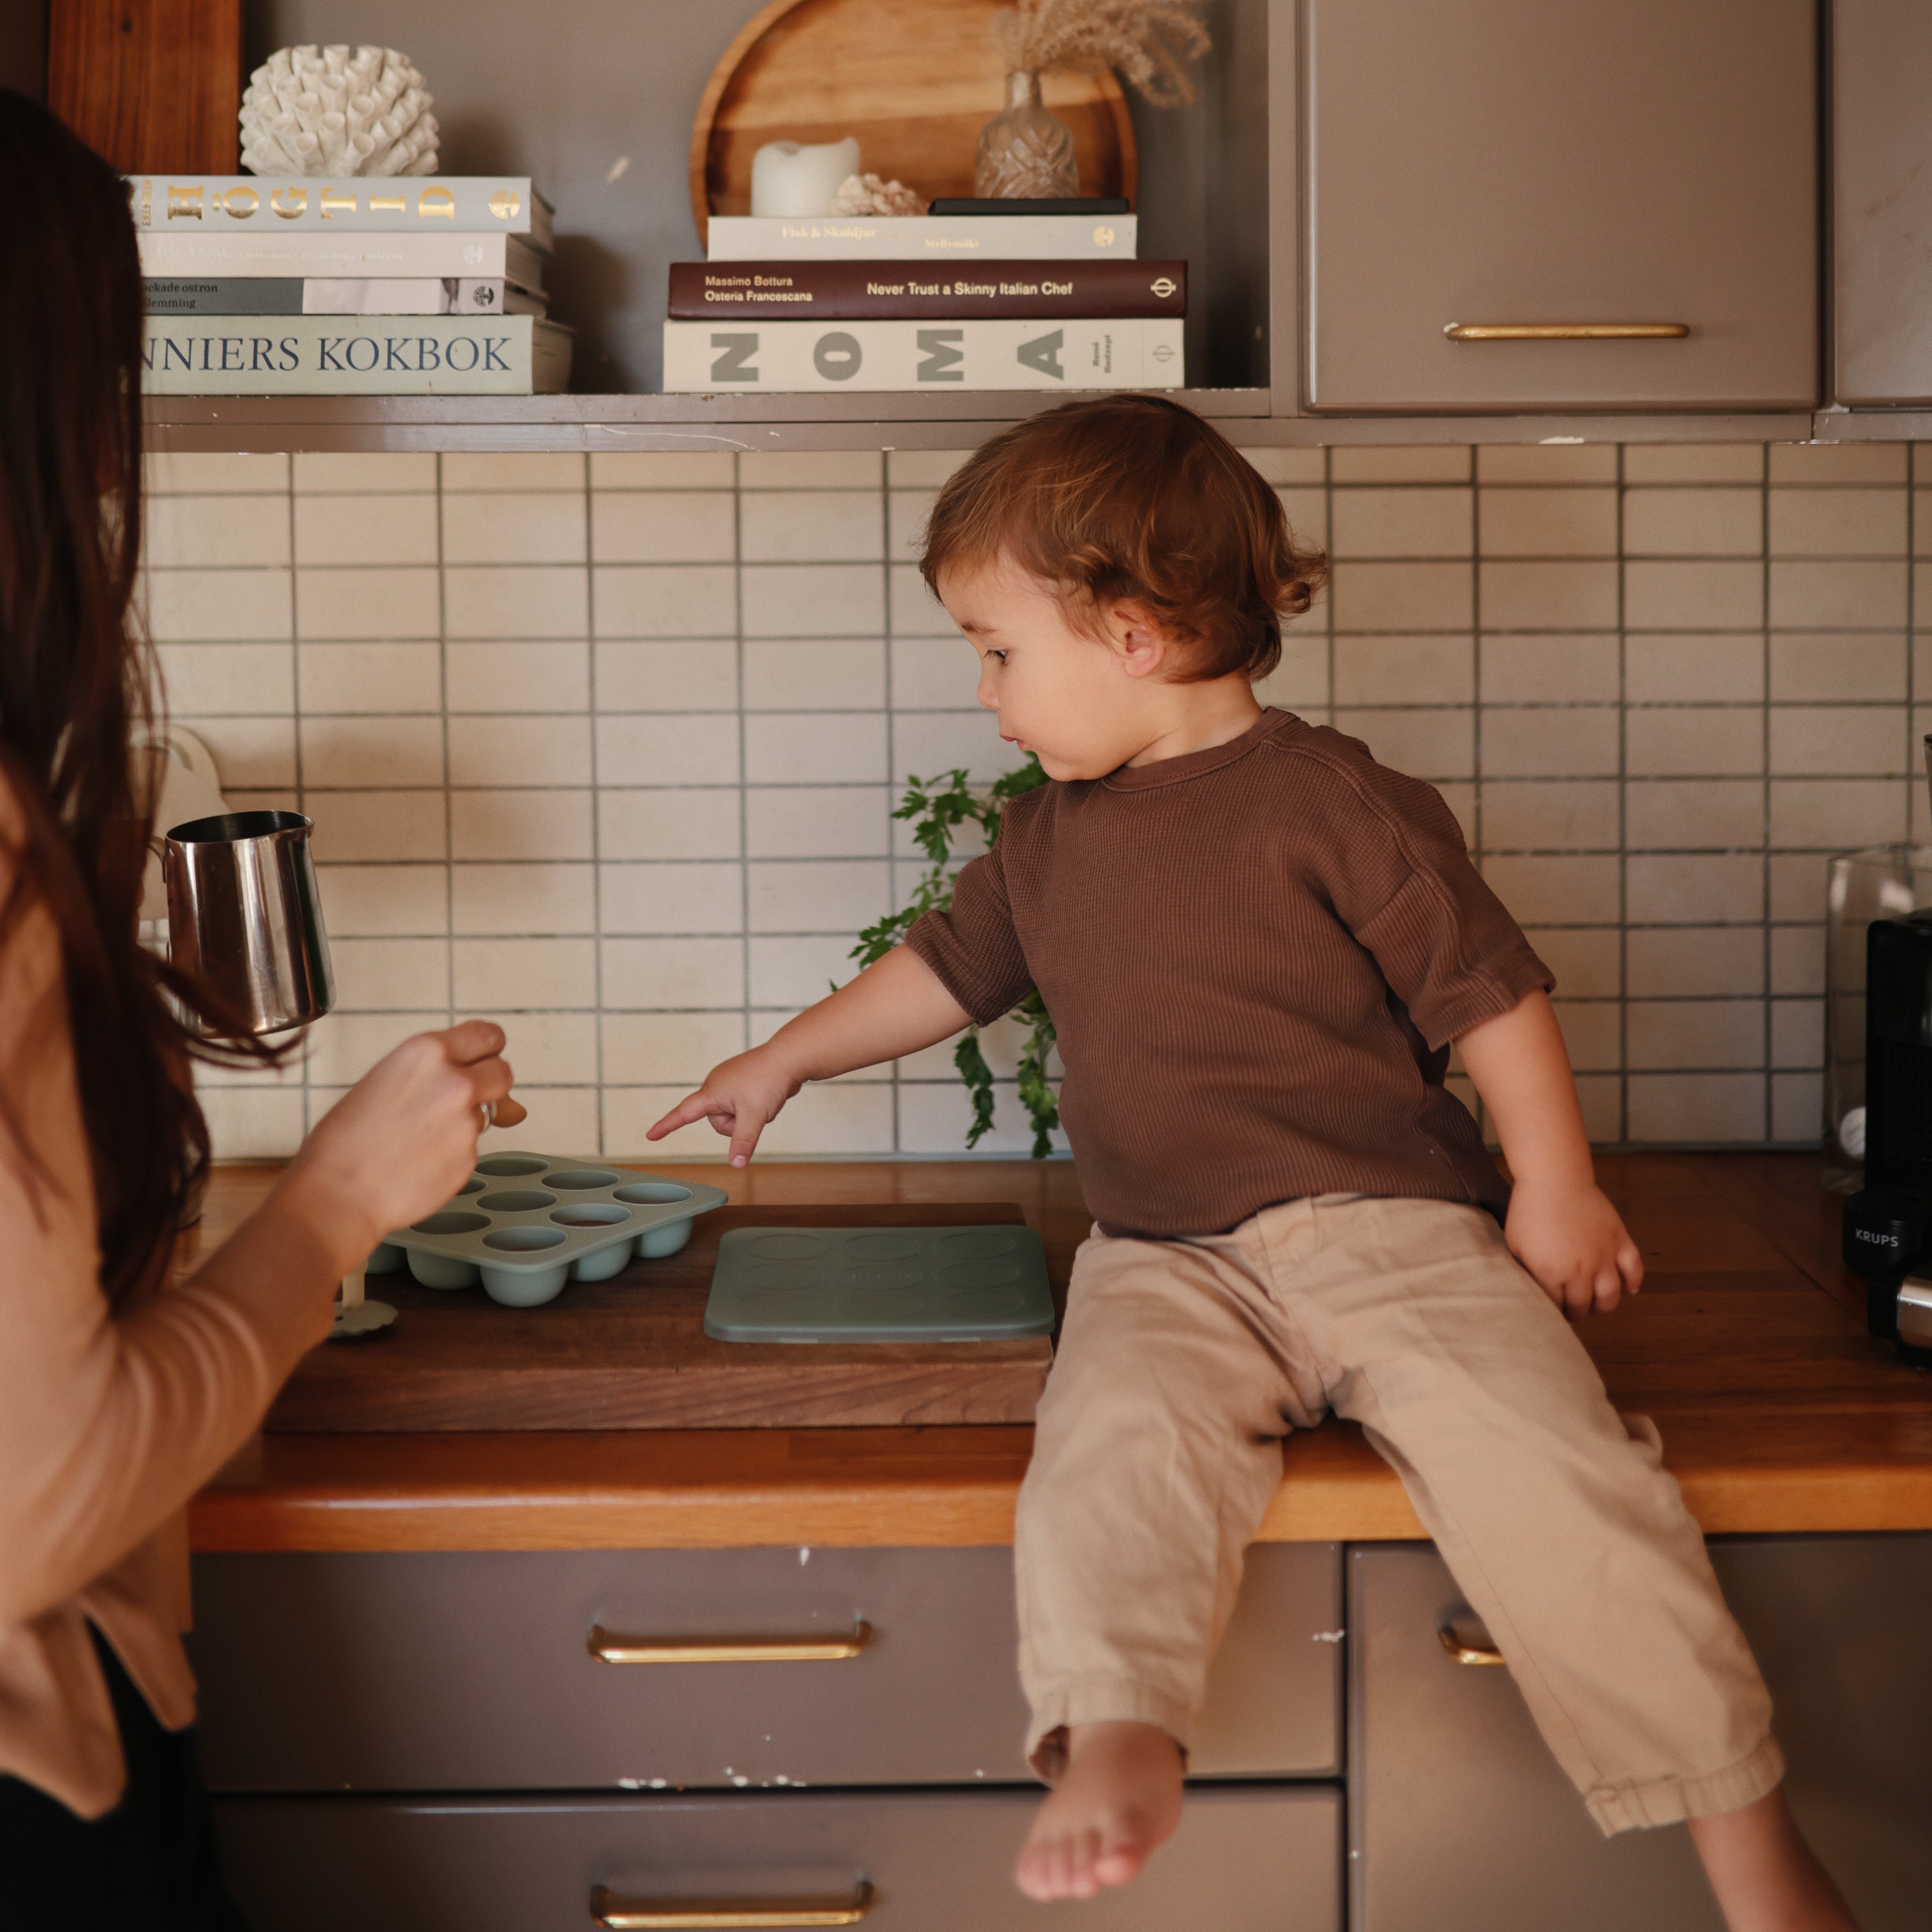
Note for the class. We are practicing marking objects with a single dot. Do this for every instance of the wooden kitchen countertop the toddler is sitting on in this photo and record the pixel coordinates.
(1747, 1348)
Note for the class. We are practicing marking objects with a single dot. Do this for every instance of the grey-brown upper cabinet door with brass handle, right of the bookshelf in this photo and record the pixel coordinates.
(1514, 163)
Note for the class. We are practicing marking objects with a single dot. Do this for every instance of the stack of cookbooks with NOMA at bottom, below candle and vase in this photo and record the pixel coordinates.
(979, 295)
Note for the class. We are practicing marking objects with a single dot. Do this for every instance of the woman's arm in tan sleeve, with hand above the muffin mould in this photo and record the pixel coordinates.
(111, 1419)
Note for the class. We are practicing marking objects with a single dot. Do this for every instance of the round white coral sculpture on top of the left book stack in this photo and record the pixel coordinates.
(337, 111)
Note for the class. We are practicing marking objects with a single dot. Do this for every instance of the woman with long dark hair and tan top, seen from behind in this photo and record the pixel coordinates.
(125, 1390)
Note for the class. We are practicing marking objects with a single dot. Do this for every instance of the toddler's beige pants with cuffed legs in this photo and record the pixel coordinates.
(1185, 1363)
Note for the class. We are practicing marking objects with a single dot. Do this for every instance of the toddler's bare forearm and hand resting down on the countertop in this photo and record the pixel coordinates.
(1560, 1226)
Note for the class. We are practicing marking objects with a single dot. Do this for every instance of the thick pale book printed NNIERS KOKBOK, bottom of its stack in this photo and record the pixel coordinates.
(355, 356)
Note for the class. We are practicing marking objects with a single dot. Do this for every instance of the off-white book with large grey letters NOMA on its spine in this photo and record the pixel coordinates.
(720, 358)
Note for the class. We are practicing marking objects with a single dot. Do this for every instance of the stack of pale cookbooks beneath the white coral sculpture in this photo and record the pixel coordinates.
(364, 287)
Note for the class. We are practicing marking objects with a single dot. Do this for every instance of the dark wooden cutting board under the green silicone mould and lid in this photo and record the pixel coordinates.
(633, 1355)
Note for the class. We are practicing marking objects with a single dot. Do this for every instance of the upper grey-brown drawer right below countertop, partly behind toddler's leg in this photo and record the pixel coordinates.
(470, 1672)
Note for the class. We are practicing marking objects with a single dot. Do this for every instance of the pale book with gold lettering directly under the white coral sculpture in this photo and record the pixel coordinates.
(482, 204)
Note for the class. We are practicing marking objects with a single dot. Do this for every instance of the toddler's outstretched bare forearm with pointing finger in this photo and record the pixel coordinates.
(895, 1006)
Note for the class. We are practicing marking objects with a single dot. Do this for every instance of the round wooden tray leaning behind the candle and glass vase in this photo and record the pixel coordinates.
(917, 92)
